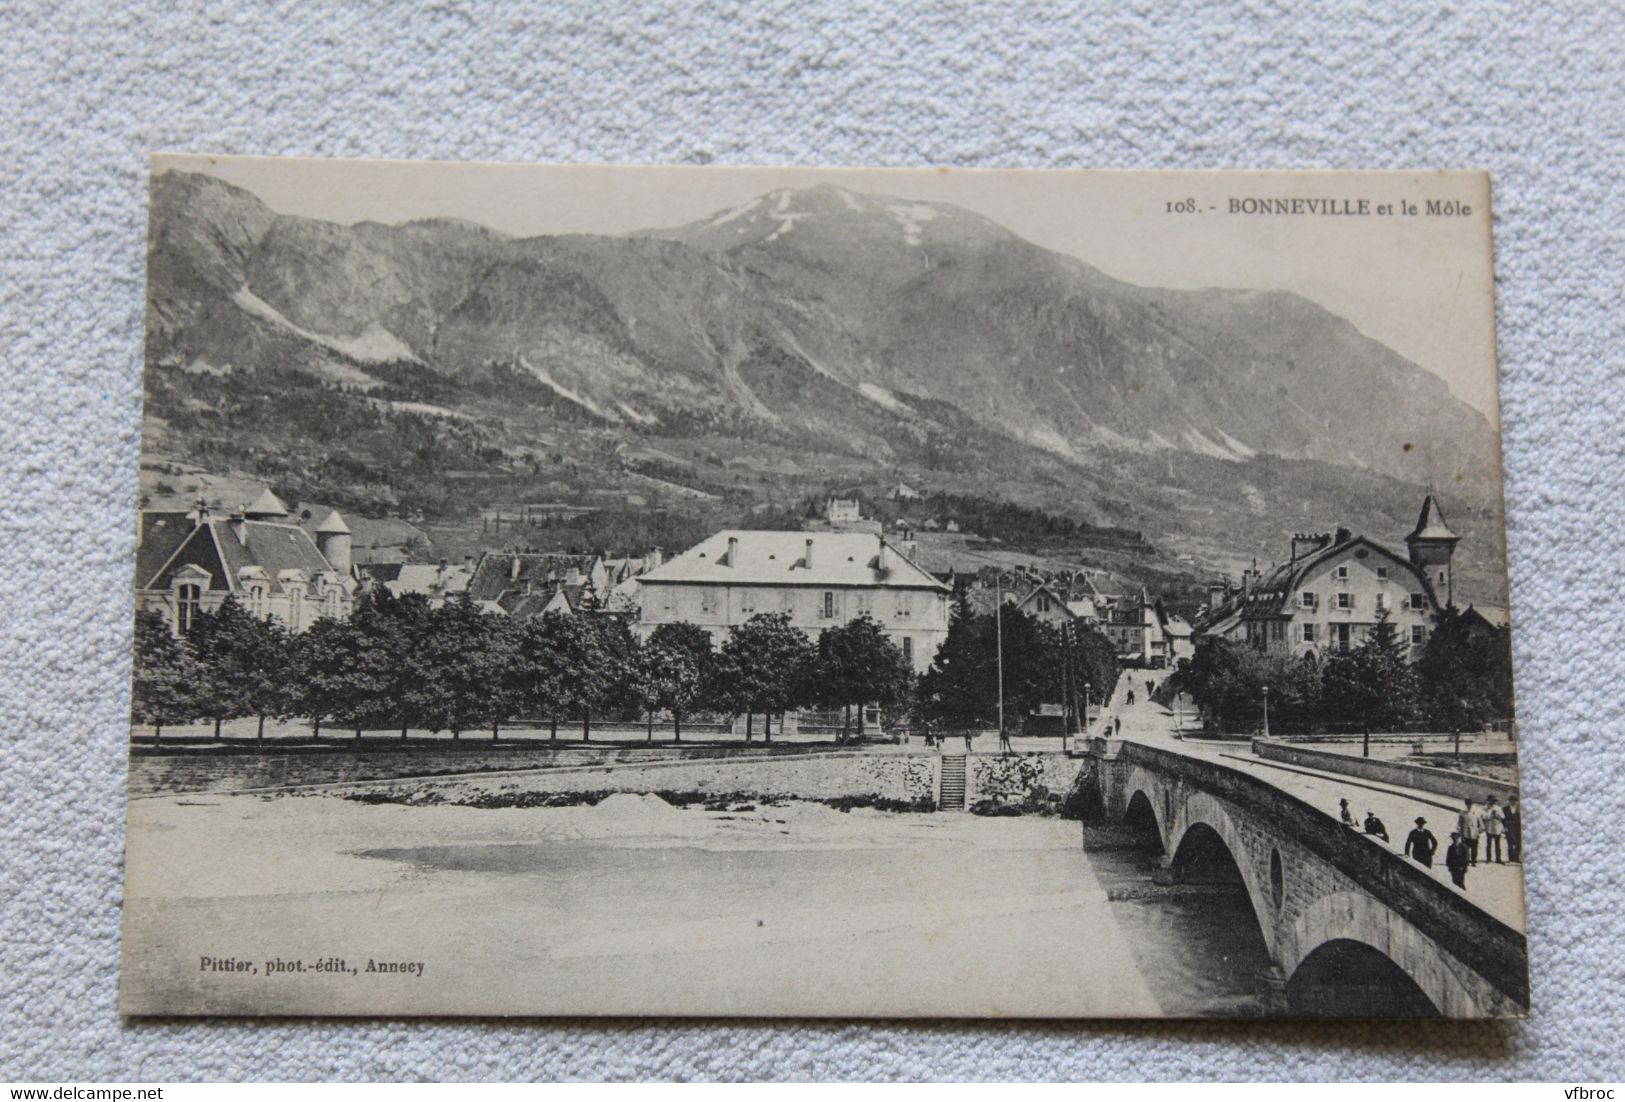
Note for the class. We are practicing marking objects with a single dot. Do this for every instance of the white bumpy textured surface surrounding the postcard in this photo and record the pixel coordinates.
(90, 90)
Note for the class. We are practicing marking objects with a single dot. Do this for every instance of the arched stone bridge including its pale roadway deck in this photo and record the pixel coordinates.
(1319, 890)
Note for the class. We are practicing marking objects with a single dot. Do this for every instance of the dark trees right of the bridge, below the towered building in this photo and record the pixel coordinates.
(1462, 682)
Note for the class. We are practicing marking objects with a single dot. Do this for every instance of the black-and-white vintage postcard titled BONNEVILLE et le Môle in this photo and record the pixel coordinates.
(821, 592)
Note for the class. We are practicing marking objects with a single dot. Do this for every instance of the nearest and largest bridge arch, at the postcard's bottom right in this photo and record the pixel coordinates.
(1354, 918)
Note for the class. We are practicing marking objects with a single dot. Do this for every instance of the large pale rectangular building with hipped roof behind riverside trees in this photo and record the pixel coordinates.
(820, 579)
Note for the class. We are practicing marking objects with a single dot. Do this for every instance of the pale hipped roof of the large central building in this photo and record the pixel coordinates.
(781, 558)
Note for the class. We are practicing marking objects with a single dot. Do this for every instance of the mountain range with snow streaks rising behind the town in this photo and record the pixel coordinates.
(821, 334)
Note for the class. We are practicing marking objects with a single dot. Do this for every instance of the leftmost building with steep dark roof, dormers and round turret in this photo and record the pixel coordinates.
(193, 562)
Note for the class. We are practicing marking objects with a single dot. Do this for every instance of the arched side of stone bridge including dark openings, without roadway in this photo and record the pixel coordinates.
(1351, 927)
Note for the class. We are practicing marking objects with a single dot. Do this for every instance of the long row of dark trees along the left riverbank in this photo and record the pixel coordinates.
(401, 664)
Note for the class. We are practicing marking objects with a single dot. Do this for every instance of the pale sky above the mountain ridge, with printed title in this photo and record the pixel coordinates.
(1421, 284)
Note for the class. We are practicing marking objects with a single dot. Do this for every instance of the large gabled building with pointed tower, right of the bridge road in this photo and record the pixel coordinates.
(1335, 589)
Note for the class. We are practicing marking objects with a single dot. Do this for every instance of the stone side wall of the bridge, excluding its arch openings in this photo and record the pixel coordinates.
(1312, 880)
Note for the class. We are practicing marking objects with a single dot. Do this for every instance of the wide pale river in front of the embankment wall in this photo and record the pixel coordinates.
(636, 908)
